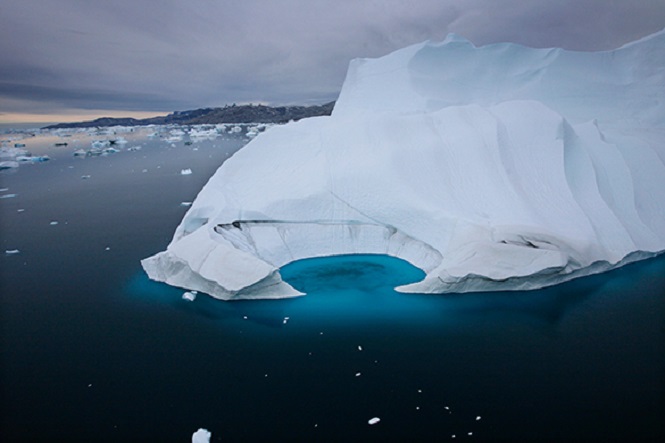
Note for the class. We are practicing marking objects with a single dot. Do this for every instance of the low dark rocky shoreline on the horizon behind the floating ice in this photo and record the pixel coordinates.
(228, 114)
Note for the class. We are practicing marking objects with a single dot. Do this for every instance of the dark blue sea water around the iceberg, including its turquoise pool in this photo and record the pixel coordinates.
(91, 350)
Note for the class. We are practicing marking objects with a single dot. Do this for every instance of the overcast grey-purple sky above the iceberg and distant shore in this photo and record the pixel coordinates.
(60, 56)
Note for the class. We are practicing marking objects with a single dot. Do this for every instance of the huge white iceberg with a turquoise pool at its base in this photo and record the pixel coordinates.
(499, 167)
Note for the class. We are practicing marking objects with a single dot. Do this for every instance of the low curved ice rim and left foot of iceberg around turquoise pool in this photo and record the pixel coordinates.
(246, 254)
